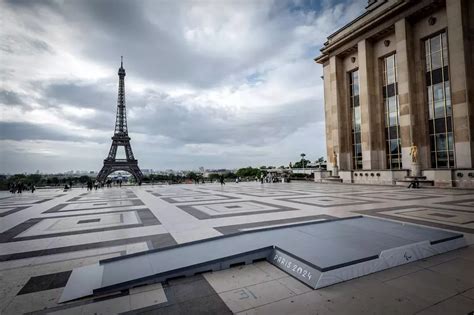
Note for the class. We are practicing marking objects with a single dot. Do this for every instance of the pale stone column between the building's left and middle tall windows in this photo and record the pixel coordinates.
(367, 87)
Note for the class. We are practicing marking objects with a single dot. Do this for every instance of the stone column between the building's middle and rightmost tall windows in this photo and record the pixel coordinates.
(405, 96)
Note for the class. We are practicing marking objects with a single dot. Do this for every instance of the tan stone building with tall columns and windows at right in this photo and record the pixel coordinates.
(402, 73)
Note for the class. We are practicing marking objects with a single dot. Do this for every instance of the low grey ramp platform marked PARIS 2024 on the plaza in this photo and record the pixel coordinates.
(317, 253)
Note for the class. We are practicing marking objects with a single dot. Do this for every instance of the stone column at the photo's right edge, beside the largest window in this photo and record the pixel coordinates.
(459, 90)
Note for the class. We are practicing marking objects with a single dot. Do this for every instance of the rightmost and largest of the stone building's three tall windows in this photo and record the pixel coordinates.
(439, 102)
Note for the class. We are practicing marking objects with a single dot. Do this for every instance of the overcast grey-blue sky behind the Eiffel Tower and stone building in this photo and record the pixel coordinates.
(218, 84)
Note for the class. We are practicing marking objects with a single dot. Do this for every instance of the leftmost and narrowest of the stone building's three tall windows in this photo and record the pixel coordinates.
(356, 120)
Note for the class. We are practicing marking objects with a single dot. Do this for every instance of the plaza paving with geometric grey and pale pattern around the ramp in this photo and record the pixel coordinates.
(43, 236)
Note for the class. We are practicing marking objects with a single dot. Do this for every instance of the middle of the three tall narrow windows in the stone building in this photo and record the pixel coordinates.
(392, 113)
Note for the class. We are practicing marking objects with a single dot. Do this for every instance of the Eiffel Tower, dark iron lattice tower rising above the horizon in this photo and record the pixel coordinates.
(120, 138)
